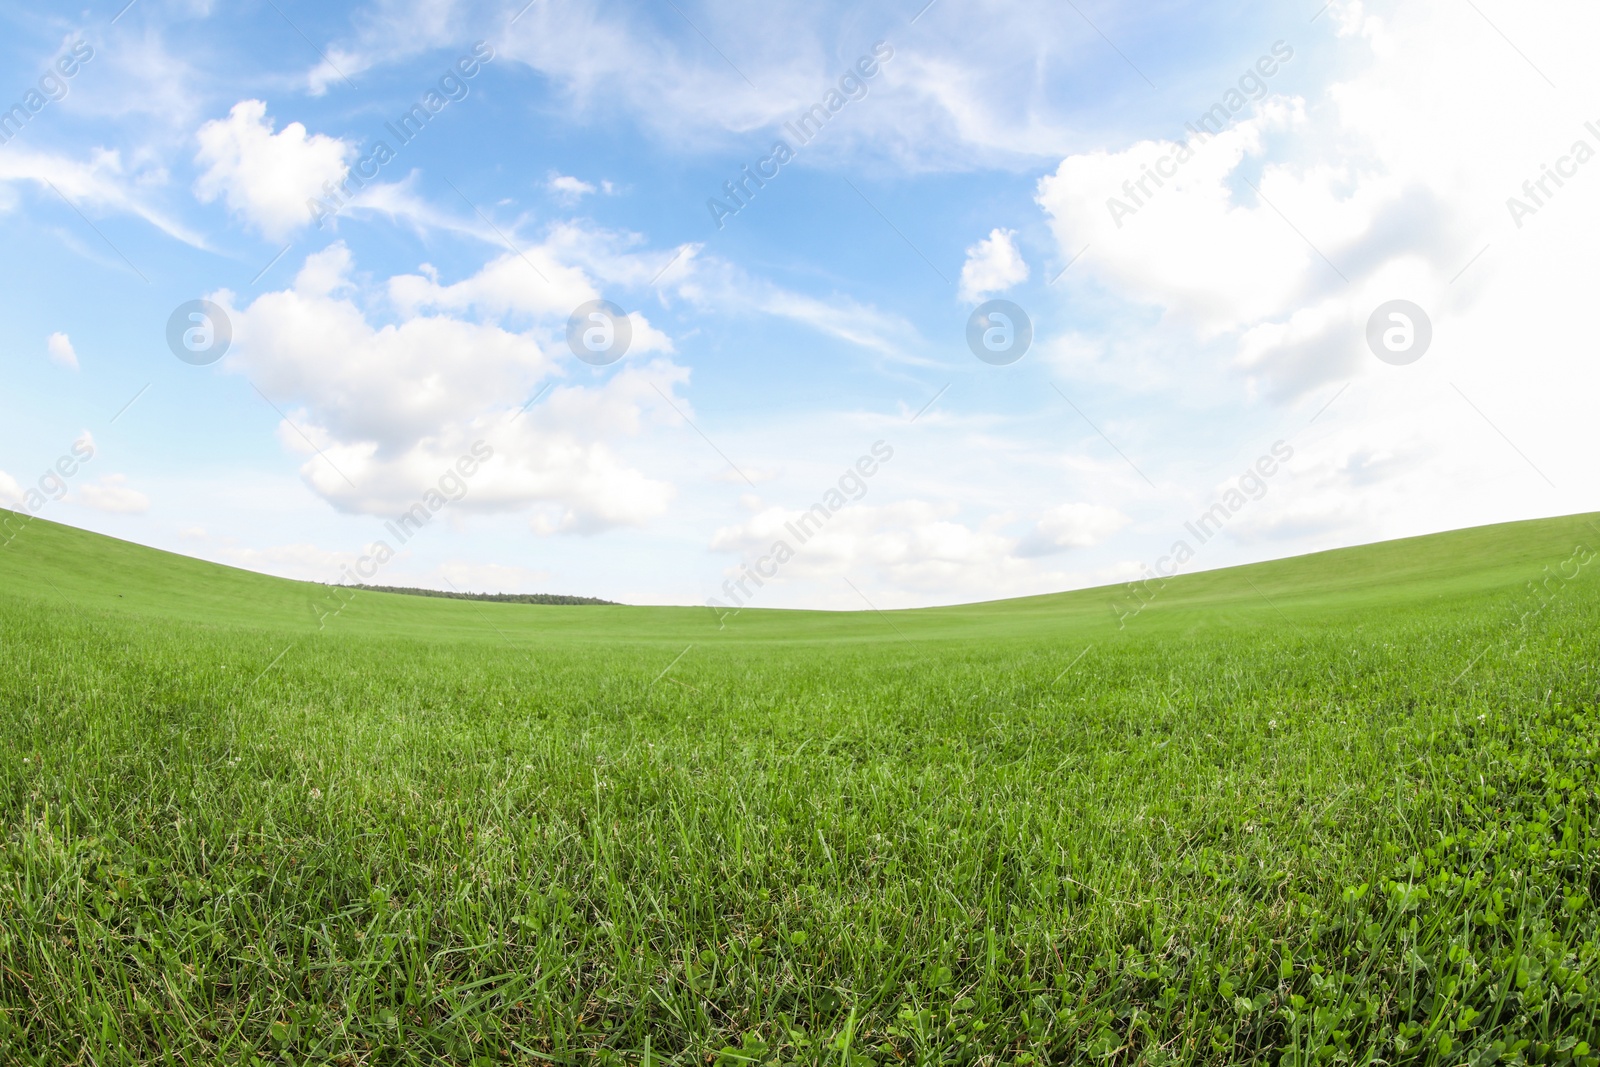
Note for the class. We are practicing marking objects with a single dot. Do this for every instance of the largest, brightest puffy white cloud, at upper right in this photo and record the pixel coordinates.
(1279, 236)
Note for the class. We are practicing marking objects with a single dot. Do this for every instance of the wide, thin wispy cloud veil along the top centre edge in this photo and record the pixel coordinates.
(967, 95)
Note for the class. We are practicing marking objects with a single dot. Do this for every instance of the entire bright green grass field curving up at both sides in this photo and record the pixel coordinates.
(1334, 810)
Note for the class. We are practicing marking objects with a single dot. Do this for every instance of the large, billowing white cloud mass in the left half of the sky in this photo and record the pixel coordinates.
(385, 409)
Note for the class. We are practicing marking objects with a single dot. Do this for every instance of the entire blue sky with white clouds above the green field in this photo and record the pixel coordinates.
(1362, 154)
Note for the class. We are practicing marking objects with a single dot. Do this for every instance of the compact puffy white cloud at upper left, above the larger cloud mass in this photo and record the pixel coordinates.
(266, 177)
